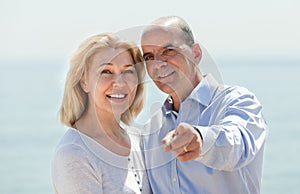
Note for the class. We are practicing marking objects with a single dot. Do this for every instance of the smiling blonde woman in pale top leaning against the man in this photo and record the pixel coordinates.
(104, 92)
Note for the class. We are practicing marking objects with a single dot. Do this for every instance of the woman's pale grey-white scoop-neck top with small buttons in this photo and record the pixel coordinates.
(82, 165)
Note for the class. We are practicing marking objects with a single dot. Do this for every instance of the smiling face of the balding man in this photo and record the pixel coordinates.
(169, 60)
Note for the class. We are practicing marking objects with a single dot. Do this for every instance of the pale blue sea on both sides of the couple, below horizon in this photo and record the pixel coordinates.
(31, 93)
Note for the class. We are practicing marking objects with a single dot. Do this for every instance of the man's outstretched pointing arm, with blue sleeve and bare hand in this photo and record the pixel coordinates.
(231, 141)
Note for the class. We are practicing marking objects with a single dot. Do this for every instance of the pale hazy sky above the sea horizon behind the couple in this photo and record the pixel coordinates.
(46, 30)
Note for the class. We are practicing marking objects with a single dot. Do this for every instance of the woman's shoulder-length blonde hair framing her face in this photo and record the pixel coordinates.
(75, 100)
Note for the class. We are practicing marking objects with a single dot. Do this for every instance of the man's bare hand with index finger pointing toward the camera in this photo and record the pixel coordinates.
(184, 141)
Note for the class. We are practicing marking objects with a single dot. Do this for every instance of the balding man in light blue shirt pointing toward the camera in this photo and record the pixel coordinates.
(207, 137)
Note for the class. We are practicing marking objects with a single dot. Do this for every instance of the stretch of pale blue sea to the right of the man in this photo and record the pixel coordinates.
(276, 84)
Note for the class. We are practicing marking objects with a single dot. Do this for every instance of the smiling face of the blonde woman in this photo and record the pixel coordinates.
(112, 81)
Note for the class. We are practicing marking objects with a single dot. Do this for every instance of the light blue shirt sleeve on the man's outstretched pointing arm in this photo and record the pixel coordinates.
(236, 131)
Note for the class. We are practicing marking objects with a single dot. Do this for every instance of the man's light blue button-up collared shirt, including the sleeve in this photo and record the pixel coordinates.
(233, 129)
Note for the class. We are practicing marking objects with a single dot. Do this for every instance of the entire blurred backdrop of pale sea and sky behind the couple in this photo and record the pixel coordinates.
(255, 44)
